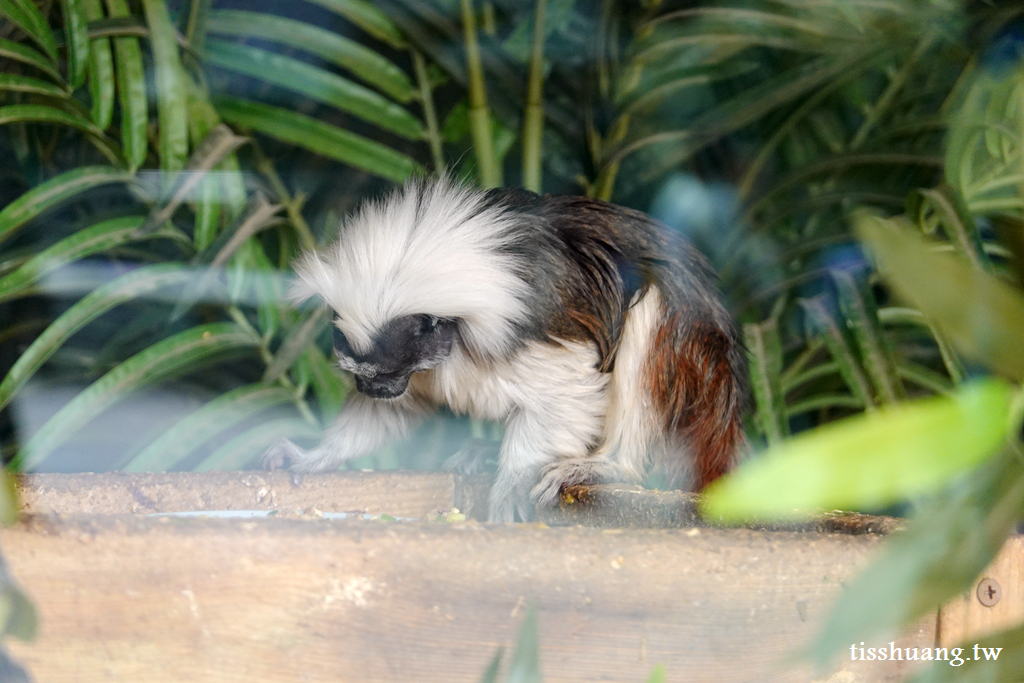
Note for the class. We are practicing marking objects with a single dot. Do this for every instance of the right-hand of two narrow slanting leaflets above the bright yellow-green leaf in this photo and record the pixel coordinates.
(861, 312)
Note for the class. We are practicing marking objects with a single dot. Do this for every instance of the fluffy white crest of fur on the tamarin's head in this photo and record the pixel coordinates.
(436, 249)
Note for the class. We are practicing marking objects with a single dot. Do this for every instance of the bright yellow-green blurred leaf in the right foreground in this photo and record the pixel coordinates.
(870, 460)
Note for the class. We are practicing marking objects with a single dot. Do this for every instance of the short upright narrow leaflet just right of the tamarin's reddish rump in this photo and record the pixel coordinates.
(765, 353)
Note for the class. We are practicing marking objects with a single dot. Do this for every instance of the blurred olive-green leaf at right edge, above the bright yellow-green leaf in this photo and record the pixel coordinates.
(978, 314)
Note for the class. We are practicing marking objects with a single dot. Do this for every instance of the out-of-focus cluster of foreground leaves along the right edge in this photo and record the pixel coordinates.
(958, 458)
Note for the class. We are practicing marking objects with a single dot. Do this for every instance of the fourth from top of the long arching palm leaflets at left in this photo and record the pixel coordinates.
(175, 357)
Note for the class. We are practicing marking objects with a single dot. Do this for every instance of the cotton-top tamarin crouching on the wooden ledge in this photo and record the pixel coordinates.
(592, 332)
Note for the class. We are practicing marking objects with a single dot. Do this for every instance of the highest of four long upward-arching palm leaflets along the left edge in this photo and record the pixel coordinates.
(93, 240)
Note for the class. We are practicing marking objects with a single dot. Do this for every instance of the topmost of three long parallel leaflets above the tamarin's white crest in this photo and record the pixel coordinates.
(366, 64)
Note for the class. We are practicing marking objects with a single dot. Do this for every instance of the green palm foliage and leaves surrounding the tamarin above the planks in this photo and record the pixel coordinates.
(166, 161)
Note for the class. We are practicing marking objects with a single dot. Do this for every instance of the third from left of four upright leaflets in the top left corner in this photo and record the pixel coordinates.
(132, 91)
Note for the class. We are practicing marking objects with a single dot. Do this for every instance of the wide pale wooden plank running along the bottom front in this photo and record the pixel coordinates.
(158, 601)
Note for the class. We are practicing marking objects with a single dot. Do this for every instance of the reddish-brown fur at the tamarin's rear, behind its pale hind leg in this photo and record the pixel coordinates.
(697, 373)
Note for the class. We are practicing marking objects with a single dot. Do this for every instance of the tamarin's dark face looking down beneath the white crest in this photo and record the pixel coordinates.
(402, 348)
